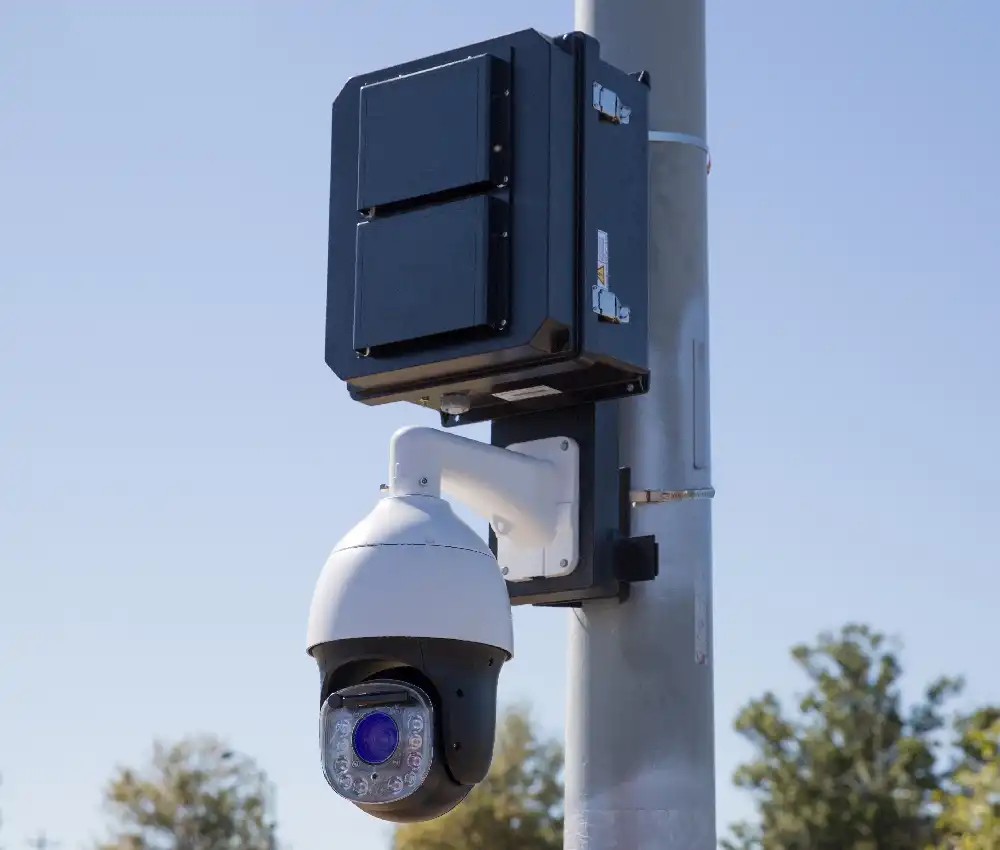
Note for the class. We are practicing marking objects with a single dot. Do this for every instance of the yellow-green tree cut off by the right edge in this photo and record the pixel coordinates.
(970, 798)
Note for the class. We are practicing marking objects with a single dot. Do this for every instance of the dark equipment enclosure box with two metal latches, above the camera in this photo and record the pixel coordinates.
(488, 230)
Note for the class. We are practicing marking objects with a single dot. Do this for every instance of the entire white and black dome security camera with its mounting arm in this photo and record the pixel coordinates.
(410, 621)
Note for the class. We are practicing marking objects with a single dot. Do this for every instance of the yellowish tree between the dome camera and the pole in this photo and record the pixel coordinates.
(517, 807)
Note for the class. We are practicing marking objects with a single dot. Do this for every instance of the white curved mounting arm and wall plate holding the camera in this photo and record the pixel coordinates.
(529, 493)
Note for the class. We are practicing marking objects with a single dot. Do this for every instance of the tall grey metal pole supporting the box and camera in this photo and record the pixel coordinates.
(640, 755)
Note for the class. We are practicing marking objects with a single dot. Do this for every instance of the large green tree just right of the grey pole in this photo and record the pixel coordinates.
(853, 769)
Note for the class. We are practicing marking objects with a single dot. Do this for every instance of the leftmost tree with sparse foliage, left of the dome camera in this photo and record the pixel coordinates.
(195, 795)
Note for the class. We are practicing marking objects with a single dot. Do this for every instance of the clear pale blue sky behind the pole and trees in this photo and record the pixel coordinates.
(176, 460)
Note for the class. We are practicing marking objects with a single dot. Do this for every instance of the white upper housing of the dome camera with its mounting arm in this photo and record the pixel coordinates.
(412, 568)
